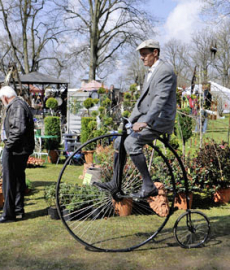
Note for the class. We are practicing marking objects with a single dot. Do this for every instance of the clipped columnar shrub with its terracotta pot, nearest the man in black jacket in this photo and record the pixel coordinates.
(53, 129)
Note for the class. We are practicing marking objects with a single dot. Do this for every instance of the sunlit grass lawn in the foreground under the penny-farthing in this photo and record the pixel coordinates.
(41, 243)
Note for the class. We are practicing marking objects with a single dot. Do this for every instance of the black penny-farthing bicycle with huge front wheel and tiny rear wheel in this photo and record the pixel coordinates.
(117, 222)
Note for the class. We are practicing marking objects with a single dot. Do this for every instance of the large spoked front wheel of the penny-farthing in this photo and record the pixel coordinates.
(94, 217)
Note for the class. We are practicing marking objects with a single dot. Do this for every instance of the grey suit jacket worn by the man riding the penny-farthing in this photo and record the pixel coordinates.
(157, 103)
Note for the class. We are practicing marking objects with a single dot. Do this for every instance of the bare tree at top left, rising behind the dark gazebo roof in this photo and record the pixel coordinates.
(31, 27)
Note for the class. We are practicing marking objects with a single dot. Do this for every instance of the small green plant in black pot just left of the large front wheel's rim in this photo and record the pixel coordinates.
(50, 198)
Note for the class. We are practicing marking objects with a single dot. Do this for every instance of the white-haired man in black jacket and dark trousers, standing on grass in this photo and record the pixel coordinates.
(18, 136)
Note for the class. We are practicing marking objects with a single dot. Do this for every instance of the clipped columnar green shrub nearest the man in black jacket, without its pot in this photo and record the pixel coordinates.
(52, 127)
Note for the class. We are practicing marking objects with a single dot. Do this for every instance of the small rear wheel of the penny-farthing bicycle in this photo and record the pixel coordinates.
(192, 229)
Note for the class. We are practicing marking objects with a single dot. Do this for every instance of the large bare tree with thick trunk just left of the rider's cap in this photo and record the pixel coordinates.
(107, 26)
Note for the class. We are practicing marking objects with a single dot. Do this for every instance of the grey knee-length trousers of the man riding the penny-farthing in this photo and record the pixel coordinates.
(135, 141)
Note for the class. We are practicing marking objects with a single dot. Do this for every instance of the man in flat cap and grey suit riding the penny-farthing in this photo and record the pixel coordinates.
(154, 114)
